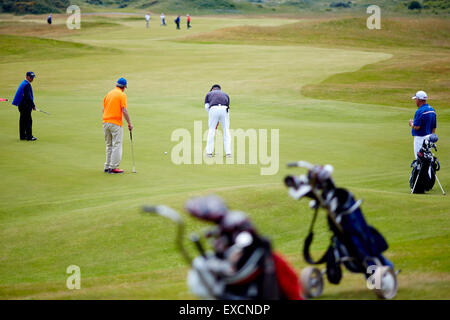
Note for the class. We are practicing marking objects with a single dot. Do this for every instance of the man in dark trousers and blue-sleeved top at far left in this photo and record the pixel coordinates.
(24, 100)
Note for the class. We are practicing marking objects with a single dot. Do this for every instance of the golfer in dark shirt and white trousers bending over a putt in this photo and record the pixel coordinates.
(217, 104)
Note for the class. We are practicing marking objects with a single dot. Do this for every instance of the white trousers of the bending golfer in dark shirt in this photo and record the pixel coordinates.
(218, 114)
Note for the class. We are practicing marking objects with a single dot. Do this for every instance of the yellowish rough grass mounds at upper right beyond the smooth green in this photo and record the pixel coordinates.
(420, 49)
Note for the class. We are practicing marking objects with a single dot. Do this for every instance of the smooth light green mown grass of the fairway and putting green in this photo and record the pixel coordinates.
(58, 208)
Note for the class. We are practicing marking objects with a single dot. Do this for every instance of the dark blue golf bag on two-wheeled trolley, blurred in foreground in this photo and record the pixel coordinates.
(354, 243)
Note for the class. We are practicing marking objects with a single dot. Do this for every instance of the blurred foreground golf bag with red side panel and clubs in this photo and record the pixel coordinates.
(242, 265)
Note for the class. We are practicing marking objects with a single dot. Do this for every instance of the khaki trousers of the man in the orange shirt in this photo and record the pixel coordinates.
(113, 139)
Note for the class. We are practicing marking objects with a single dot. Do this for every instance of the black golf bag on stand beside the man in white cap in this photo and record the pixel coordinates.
(424, 168)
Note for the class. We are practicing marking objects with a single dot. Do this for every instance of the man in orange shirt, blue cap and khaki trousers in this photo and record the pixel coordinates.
(114, 107)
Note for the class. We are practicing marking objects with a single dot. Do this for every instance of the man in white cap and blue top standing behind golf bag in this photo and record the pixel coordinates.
(424, 122)
